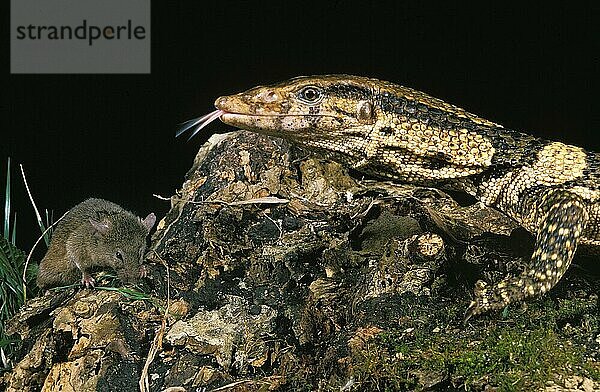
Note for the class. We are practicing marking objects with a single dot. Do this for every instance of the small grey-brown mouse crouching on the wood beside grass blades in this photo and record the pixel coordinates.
(94, 234)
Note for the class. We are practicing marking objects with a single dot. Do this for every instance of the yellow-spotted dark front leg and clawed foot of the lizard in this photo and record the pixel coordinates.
(562, 219)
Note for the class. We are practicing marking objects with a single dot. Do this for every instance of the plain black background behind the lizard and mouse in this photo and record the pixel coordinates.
(531, 68)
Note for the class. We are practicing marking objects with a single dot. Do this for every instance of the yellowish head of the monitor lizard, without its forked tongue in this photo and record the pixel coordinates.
(306, 110)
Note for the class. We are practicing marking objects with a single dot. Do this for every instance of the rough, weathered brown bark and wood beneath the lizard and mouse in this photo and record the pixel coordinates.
(282, 271)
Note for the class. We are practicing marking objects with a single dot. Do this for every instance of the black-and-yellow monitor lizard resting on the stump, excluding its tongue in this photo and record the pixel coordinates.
(391, 131)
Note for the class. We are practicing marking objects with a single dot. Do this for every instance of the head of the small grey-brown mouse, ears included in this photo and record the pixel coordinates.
(121, 243)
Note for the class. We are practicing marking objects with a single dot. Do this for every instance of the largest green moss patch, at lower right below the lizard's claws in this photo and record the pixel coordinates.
(505, 357)
